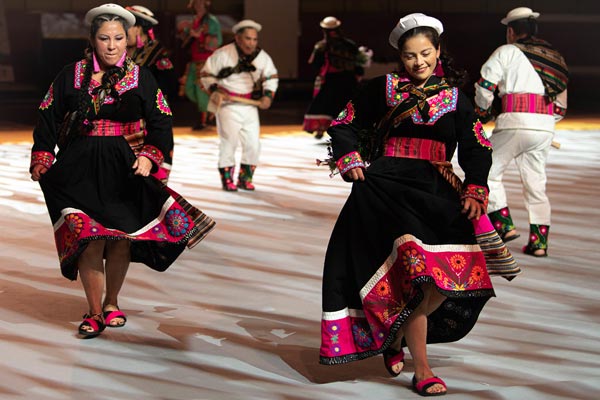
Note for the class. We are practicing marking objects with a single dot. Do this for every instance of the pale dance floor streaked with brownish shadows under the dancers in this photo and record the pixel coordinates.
(238, 316)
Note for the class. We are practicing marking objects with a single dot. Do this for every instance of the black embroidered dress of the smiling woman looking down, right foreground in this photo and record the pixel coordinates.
(402, 226)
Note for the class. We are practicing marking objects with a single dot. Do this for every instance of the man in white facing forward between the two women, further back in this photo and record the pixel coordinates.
(240, 70)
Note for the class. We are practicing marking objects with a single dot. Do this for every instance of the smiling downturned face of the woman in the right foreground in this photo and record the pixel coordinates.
(419, 57)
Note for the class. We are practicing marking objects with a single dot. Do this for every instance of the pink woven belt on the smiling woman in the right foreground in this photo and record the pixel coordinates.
(422, 149)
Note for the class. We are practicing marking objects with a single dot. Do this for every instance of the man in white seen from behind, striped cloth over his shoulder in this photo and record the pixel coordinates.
(531, 79)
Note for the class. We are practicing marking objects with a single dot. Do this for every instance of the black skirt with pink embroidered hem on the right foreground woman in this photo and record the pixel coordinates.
(398, 230)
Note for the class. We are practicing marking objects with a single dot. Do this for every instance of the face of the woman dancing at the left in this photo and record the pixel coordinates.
(109, 43)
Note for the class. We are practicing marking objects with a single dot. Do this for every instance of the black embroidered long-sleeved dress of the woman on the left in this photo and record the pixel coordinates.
(90, 189)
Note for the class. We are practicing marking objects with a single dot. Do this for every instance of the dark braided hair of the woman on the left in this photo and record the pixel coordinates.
(109, 78)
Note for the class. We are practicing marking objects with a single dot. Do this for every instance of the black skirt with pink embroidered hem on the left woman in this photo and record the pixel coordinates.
(92, 194)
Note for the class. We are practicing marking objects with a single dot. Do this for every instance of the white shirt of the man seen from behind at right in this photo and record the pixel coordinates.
(511, 70)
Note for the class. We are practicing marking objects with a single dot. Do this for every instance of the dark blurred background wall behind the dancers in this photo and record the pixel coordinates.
(34, 45)
